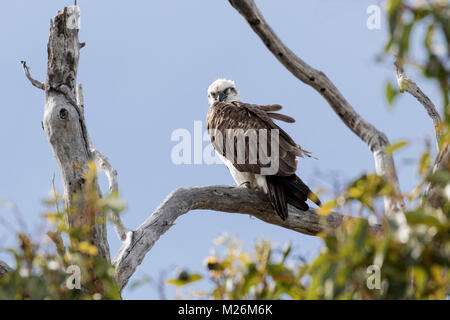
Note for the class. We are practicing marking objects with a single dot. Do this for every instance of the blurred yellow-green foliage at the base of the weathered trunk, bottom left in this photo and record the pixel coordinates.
(41, 272)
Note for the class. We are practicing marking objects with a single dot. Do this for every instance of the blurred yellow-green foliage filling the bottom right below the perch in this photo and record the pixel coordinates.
(412, 256)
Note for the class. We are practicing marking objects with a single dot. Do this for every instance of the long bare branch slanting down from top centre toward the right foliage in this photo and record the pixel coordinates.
(375, 139)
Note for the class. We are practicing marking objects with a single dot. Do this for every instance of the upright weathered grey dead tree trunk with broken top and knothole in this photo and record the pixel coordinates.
(65, 127)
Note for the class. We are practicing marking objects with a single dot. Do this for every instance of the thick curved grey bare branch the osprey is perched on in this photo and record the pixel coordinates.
(217, 198)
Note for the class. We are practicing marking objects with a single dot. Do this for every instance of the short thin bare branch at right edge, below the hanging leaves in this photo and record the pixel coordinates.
(408, 85)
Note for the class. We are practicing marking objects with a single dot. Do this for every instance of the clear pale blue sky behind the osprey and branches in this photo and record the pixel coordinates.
(145, 71)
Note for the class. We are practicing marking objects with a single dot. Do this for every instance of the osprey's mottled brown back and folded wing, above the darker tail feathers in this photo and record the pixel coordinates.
(237, 115)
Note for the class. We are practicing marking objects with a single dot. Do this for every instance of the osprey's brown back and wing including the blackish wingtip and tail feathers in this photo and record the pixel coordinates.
(282, 188)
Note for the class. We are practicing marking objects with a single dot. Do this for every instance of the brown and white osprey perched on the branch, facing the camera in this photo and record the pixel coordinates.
(228, 115)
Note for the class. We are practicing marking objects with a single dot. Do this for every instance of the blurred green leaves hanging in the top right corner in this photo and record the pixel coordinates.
(434, 17)
